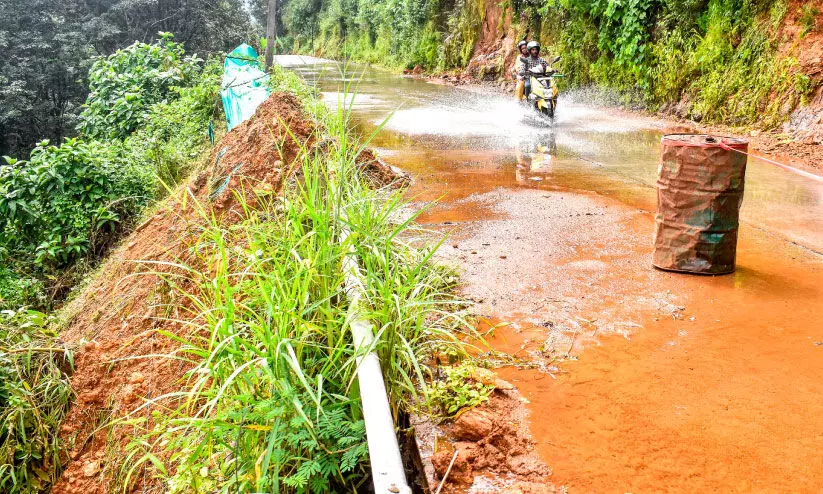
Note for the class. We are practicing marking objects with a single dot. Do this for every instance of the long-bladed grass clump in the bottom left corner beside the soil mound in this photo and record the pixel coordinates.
(34, 396)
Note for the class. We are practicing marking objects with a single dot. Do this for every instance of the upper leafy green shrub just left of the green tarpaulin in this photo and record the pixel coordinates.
(125, 84)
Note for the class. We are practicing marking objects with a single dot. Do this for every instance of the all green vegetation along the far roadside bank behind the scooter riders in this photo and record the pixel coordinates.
(718, 58)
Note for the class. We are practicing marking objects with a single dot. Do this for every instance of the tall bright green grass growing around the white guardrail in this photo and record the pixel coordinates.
(270, 402)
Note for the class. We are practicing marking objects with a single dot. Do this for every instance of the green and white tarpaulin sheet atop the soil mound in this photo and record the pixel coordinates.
(244, 85)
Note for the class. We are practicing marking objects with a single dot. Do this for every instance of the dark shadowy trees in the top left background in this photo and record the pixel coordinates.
(48, 47)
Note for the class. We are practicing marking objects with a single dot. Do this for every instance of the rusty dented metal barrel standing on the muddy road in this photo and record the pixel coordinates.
(699, 193)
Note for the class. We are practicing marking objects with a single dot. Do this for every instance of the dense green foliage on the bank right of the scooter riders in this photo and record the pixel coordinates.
(717, 56)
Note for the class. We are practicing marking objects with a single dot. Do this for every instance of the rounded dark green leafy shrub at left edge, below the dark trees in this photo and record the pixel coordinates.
(67, 201)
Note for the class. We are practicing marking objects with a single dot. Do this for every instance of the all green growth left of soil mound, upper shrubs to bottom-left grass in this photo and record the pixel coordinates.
(142, 129)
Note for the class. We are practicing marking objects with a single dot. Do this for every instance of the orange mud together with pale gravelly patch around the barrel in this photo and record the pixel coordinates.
(675, 383)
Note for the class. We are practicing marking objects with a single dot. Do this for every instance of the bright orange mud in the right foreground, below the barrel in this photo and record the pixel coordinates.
(730, 401)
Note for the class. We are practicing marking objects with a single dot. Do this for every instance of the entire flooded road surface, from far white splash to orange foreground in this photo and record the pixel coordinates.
(637, 380)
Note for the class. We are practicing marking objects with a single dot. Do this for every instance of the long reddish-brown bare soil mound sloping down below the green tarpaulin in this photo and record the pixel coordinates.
(114, 321)
